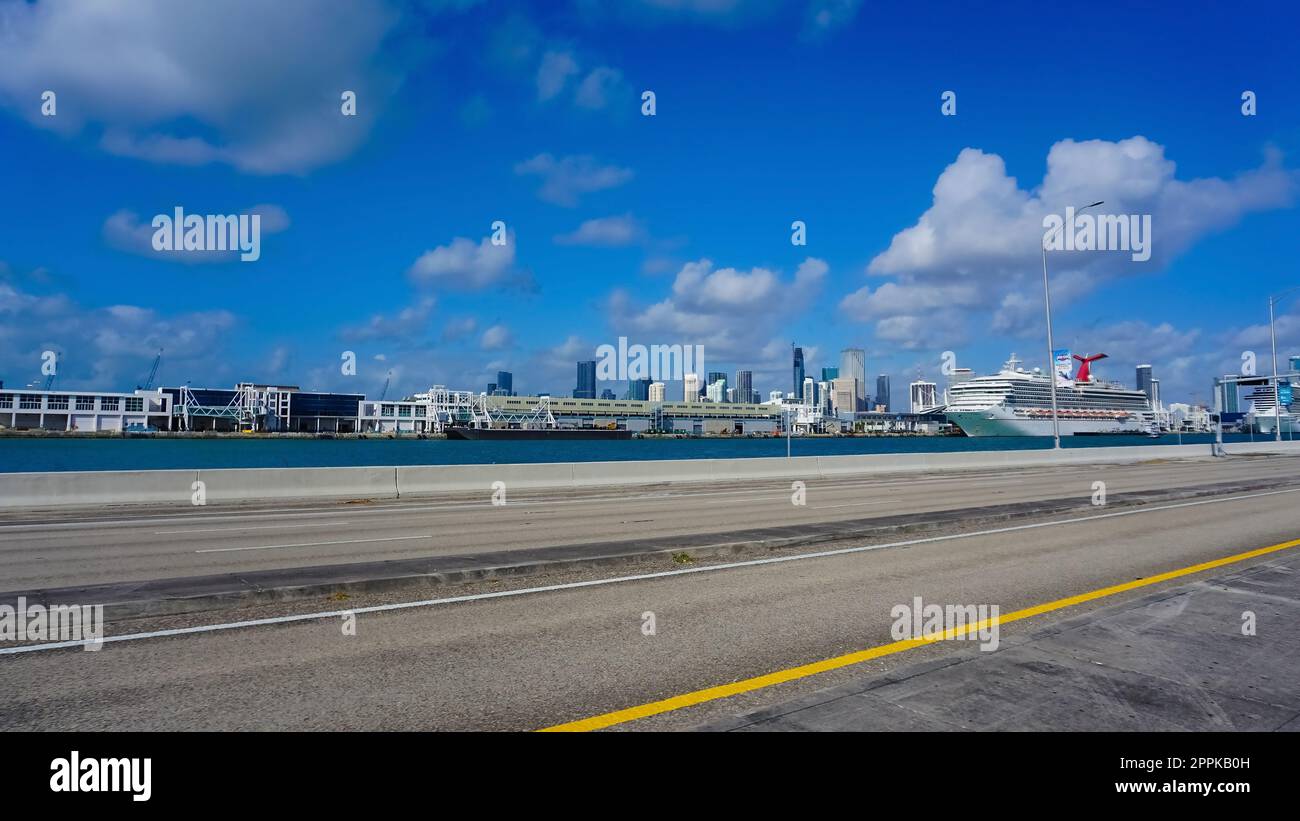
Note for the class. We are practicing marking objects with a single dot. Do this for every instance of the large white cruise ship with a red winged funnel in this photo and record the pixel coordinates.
(1016, 403)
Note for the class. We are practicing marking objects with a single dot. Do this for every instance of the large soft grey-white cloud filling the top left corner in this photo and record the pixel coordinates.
(193, 86)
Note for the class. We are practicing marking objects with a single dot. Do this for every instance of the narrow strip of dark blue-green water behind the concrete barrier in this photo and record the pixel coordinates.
(32, 455)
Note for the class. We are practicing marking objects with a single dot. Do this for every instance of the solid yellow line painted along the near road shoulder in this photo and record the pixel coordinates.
(759, 683)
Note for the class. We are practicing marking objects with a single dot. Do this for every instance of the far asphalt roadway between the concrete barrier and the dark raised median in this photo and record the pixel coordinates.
(128, 545)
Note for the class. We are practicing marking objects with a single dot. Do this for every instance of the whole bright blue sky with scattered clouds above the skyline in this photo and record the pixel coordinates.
(922, 229)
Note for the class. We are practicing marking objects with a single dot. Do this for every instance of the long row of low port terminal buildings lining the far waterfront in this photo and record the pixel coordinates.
(253, 407)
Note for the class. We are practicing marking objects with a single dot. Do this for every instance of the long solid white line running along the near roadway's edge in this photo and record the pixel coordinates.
(618, 580)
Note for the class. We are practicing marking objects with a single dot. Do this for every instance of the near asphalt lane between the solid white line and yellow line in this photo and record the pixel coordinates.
(558, 655)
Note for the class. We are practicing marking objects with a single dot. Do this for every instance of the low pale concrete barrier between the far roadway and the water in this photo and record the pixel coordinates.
(42, 490)
